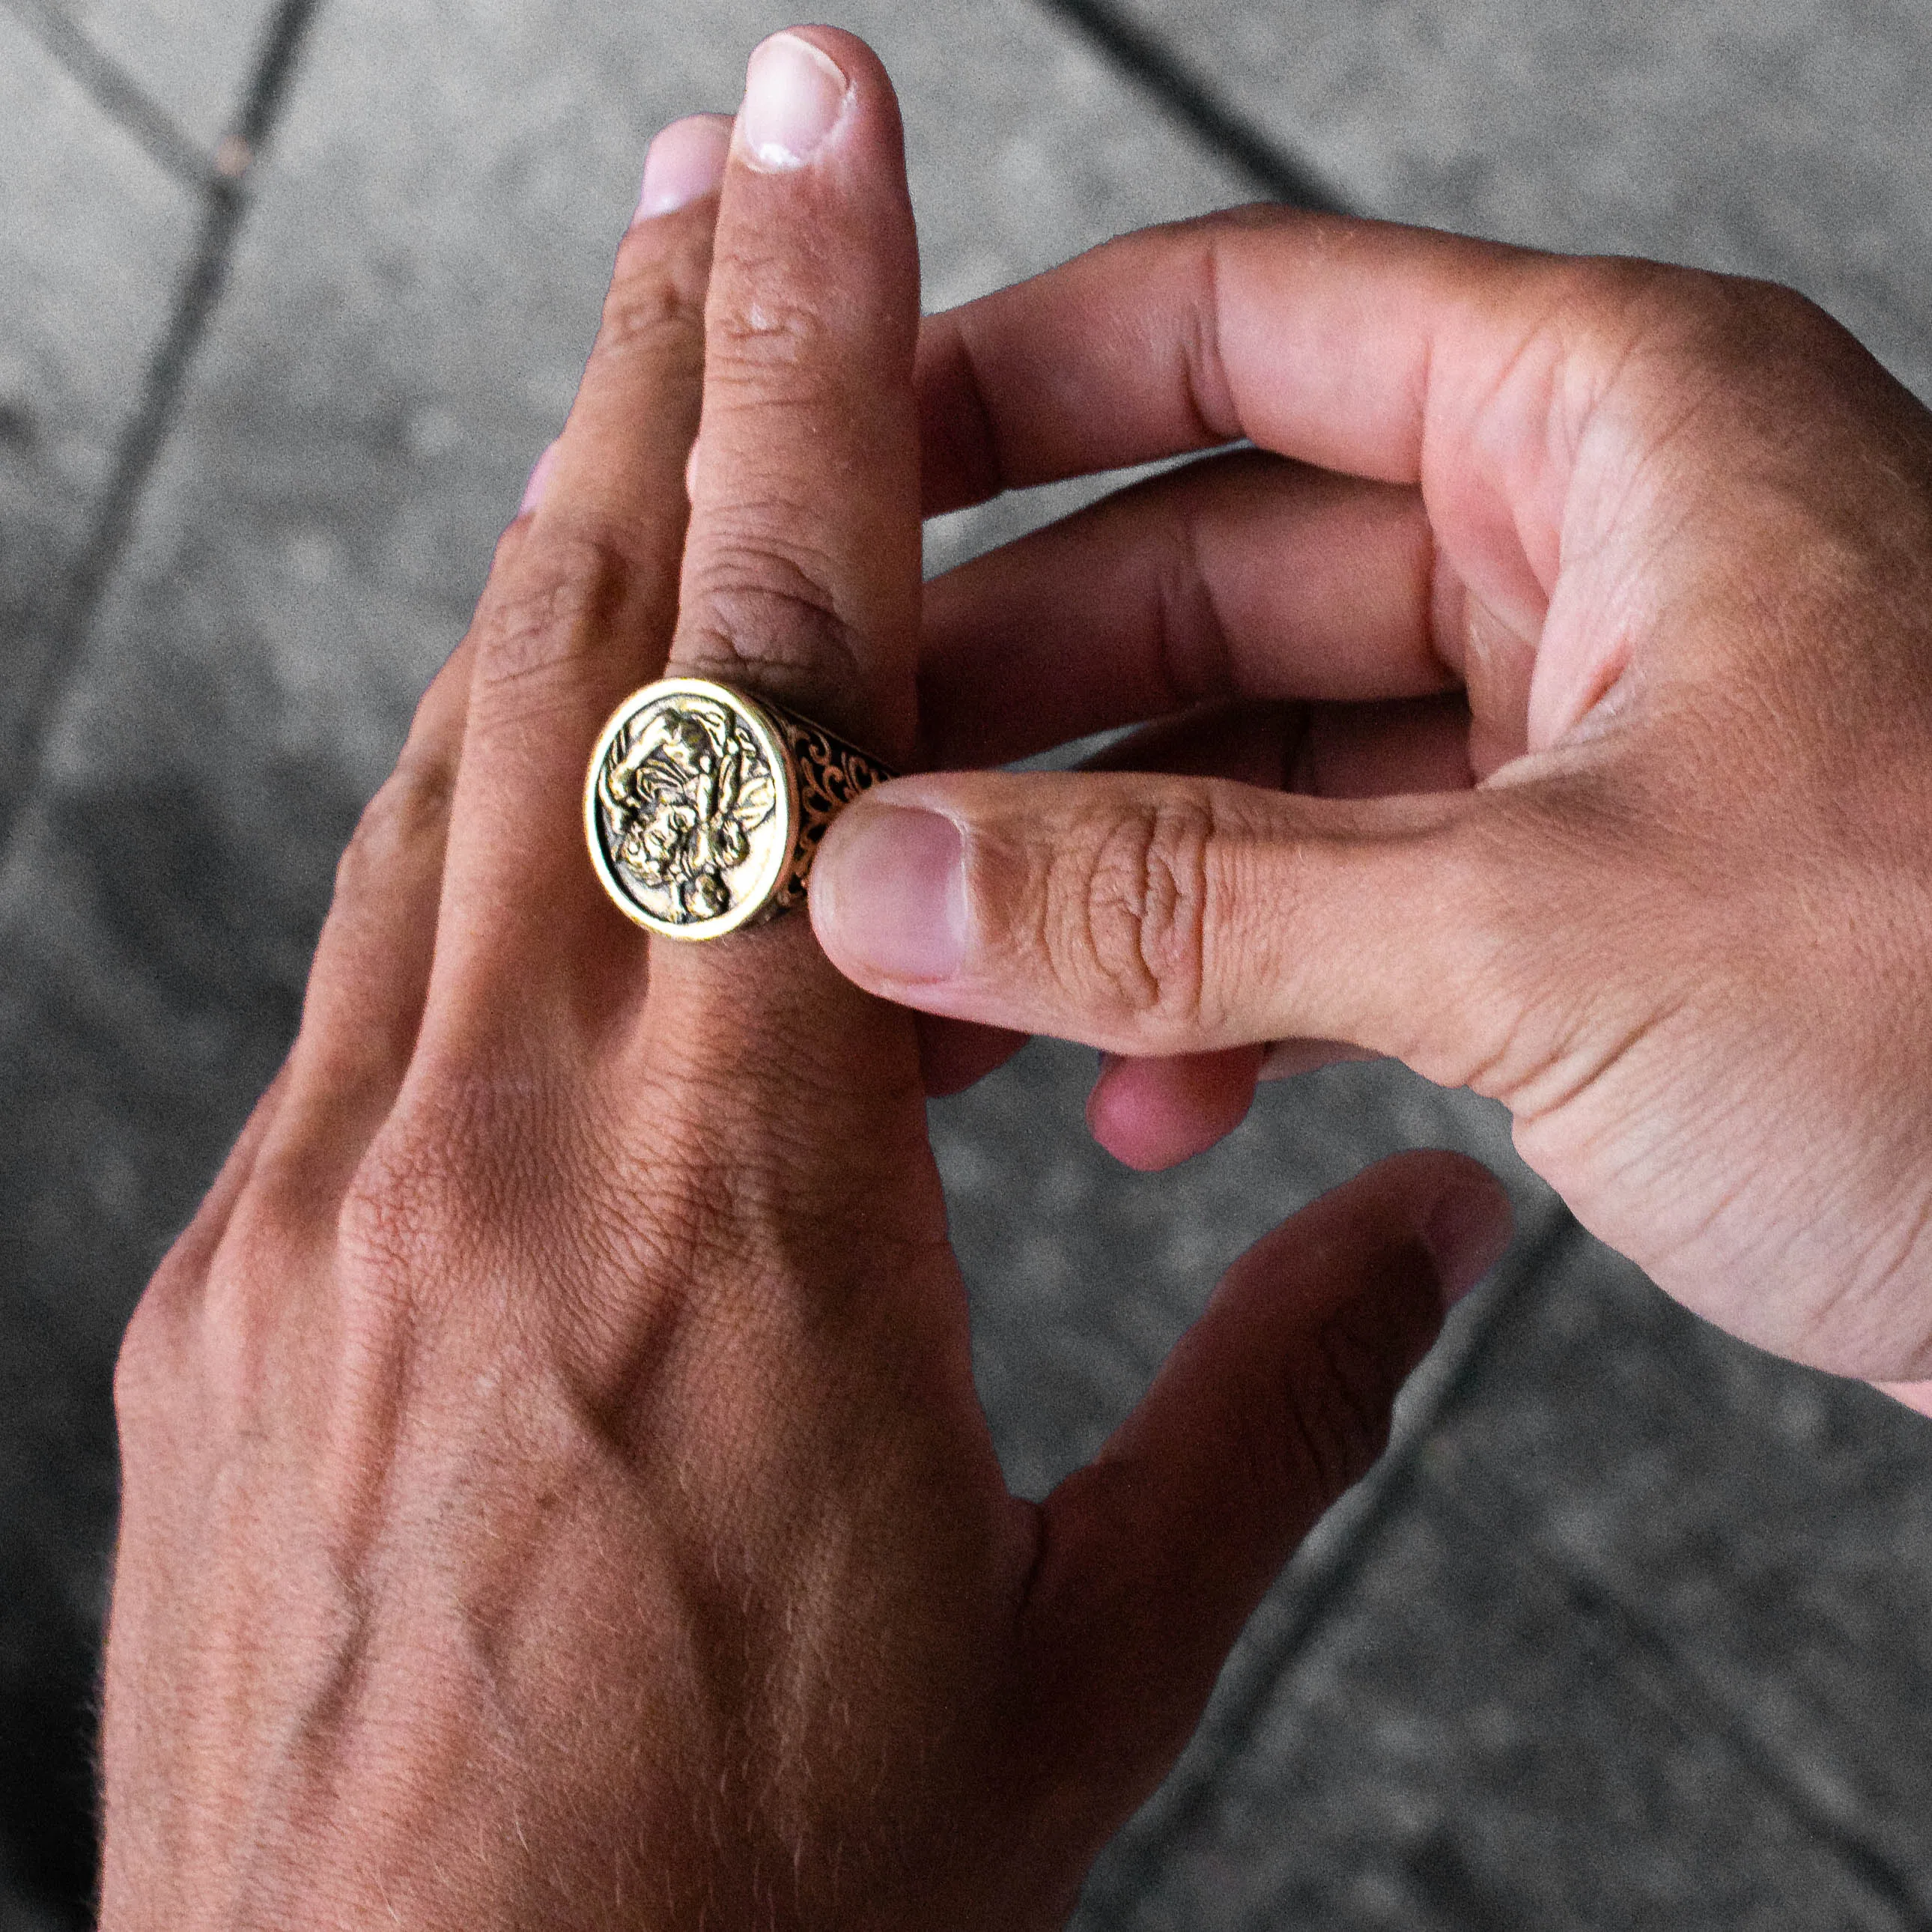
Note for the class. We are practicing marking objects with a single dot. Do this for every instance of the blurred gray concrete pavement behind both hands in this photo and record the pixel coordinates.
(1632, 1630)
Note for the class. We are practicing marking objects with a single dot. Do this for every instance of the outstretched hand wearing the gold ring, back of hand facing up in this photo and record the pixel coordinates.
(555, 1492)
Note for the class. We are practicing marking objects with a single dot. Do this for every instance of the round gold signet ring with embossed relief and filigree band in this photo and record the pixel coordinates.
(704, 807)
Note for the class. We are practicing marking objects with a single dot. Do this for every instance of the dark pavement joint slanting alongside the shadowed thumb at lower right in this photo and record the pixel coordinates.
(1145, 1848)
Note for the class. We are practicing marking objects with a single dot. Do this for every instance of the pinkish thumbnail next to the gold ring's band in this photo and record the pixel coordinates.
(895, 892)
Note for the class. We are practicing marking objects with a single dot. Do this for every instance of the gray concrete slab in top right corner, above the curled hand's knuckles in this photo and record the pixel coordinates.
(1753, 136)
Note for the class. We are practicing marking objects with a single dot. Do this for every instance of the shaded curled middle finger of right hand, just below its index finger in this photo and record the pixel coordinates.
(1243, 577)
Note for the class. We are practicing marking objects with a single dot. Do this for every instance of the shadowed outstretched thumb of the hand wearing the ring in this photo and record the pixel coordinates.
(1270, 1407)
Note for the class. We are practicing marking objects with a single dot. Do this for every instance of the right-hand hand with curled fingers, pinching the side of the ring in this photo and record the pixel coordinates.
(1579, 658)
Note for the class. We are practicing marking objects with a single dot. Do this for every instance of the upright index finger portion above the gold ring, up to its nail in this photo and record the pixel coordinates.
(803, 571)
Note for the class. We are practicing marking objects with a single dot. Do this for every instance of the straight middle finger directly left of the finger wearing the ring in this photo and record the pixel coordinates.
(579, 617)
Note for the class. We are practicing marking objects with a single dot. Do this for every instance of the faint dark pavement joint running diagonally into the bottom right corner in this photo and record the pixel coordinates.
(1626, 1634)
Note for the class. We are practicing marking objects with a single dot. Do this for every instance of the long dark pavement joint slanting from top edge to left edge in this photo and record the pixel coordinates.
(225, 198)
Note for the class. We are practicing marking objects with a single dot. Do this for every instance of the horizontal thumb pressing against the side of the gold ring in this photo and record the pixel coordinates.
(1158, 915)
